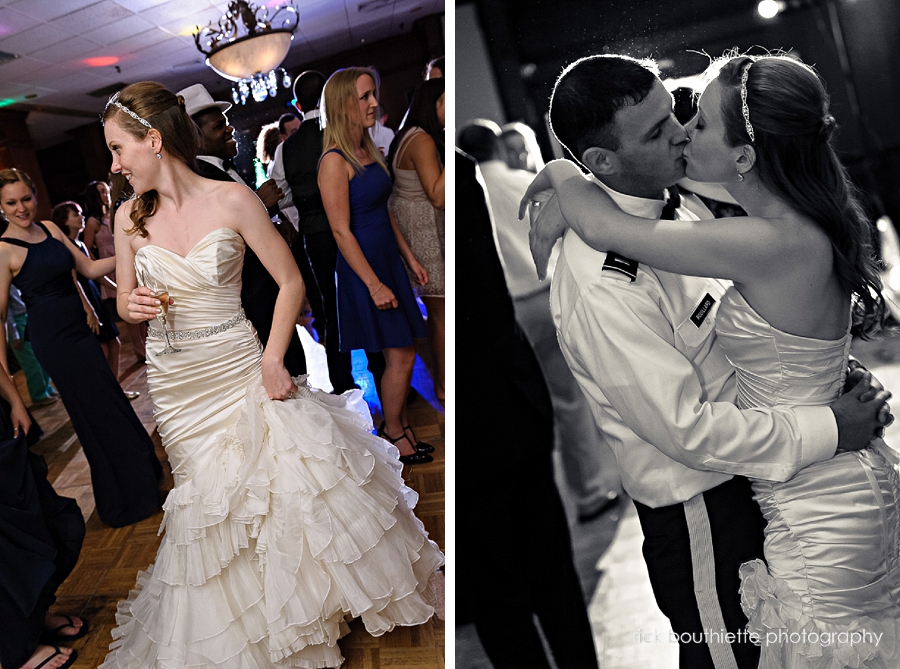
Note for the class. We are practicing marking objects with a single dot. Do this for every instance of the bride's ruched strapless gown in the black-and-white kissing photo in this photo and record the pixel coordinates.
(833, 538)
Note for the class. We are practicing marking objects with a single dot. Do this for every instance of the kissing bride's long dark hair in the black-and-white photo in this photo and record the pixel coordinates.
(786, 110)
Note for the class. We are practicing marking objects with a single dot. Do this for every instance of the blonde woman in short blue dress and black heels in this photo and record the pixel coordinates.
(377, 310)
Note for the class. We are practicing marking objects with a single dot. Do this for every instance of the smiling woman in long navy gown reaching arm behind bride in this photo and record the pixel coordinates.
(39, 259)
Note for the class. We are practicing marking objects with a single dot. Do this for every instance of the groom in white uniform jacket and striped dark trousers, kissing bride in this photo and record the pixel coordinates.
(642, 346)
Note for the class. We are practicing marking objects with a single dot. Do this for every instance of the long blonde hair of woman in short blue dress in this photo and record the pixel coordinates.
(340, 115)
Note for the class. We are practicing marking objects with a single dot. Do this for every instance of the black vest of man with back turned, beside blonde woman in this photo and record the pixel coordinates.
(301, 152)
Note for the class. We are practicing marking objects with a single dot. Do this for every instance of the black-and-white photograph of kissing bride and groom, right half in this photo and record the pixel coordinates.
(676, 242)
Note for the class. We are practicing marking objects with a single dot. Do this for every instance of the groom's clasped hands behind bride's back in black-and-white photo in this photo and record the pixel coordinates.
(862, 412)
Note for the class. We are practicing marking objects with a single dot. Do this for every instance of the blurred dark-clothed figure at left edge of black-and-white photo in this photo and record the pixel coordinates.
(515, 592)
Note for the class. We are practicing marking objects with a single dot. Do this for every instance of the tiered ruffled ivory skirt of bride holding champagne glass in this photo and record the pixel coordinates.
(298, 520)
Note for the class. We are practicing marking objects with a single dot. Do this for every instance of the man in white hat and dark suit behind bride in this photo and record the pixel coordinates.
(217, 150)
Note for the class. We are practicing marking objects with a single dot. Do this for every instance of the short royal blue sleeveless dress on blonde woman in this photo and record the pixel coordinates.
(362, 325)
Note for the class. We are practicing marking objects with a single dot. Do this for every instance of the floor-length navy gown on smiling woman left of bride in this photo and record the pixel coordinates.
(124, 467)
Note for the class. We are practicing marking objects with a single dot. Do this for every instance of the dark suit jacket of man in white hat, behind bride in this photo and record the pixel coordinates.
(259, 290)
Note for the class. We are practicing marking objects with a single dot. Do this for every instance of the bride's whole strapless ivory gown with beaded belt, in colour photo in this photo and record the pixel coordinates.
(286, 519)
